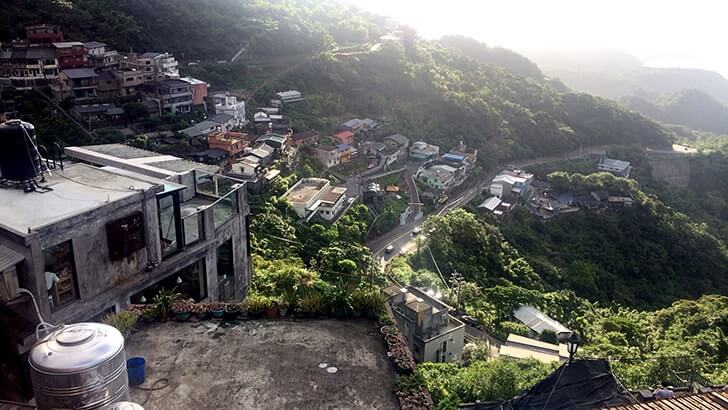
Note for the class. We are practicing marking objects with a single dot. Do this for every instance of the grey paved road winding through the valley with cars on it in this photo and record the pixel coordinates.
(402, 239)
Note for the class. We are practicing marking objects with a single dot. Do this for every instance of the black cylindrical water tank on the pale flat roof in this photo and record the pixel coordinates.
(19, 158)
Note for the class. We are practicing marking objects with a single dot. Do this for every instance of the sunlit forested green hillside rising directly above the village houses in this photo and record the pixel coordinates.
(422, 88)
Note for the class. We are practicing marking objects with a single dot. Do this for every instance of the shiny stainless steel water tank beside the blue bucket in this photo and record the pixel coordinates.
(81, 366)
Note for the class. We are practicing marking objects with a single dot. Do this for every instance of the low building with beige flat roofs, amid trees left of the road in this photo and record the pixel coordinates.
(316, 196)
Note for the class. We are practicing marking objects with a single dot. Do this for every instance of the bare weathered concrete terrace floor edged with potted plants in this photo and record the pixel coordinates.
(264, 365)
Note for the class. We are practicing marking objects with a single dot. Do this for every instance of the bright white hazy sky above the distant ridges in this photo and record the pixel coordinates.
(686, 33)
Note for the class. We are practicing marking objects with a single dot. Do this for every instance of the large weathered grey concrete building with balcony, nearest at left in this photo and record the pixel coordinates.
(116, 234)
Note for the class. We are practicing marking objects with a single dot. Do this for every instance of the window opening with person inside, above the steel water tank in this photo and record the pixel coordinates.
(60, 275)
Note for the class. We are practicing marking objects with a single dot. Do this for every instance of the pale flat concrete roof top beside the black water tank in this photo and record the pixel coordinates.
(78, 189)
